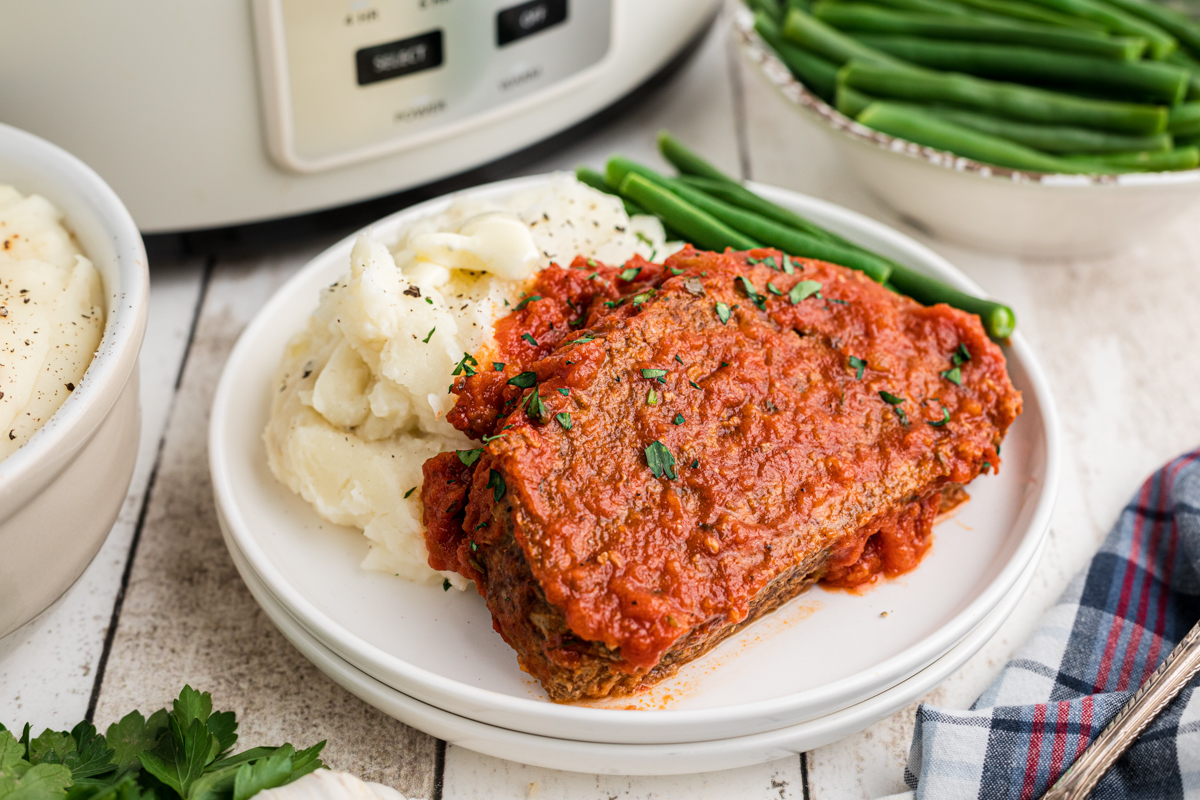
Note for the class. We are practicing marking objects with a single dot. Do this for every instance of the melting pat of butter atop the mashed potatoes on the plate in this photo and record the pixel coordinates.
(491, 243)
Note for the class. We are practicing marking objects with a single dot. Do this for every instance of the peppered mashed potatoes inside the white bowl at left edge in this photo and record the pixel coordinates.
(52, 316)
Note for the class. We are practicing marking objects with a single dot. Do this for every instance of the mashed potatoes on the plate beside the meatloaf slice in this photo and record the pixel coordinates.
(363, 392)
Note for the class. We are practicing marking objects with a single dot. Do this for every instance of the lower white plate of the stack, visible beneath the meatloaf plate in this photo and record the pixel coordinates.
(598, 759)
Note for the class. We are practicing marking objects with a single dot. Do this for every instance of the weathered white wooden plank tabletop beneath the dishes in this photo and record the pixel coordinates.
(163, 605)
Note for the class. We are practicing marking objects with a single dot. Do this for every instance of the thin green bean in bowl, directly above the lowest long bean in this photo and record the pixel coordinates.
(1049, 139)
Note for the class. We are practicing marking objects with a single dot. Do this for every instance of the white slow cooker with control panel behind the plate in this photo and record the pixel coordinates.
(229, 112)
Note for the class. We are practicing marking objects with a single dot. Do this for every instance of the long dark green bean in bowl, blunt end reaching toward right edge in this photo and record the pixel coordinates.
(1151, 80)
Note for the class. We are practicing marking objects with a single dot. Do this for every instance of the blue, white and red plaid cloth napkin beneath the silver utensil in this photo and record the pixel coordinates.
(1108, 633)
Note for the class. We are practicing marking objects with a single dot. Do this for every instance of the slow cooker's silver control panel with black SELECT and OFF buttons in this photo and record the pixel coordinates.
(345, 82)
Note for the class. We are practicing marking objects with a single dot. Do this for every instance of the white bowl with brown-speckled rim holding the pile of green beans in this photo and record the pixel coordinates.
(980, 206)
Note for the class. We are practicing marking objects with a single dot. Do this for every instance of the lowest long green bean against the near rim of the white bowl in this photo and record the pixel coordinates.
(913, 123)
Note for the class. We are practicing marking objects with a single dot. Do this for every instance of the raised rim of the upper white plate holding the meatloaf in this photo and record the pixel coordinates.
(901, 666)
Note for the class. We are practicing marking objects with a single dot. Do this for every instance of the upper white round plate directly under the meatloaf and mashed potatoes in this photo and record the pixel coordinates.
(823, 653)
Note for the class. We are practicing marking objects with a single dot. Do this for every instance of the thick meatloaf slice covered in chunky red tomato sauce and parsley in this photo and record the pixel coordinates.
(669, 452)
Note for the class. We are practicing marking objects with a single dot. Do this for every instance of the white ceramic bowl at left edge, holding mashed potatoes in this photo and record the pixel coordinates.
(62, 492)
